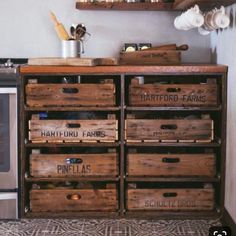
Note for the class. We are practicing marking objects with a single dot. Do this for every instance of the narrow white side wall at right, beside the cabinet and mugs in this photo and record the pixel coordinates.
(224, 51)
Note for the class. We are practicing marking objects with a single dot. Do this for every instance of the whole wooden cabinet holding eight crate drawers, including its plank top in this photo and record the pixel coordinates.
(166, 141)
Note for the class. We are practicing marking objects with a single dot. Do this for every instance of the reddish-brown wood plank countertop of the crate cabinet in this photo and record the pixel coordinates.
(184, 68)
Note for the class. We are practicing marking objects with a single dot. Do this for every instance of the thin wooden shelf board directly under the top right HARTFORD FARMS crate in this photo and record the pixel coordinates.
(129, 108)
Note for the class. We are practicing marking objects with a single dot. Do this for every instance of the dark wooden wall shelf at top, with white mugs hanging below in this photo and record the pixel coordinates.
(178, 5)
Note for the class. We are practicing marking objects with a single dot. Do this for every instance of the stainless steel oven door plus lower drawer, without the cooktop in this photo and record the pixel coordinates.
(8, 153)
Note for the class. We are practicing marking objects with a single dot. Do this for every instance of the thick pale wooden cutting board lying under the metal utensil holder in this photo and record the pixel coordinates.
(59, 61)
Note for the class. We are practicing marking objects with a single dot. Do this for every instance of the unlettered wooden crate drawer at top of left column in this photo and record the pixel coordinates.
(47, 95)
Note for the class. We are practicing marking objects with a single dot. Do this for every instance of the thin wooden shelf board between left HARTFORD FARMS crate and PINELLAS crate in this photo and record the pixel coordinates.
(34, 145)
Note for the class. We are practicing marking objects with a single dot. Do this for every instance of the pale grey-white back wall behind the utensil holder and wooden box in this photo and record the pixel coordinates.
(27, 30)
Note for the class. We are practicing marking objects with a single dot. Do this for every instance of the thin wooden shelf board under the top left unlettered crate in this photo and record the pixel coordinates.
(72, 108)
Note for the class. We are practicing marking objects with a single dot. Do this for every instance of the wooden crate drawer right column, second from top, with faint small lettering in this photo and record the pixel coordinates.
(186, 130)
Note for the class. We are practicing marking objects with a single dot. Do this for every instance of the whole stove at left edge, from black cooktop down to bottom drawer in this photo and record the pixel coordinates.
(9, 69)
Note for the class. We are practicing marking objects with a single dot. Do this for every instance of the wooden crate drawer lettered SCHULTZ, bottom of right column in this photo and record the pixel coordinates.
(170, 199)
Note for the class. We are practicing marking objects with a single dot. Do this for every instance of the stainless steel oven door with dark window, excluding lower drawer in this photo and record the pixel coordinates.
(8, 139)
